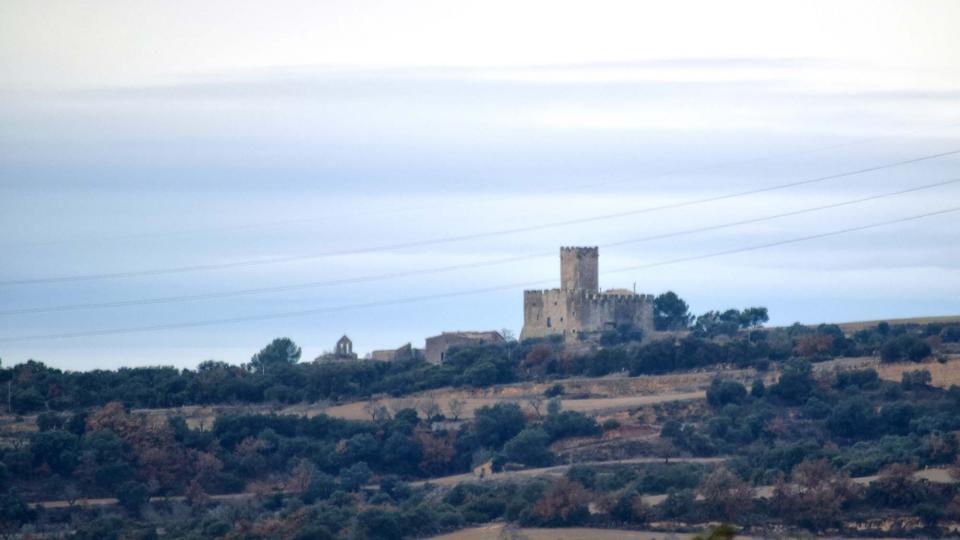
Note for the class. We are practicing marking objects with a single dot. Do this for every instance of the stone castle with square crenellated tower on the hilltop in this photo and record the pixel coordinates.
(578, 306)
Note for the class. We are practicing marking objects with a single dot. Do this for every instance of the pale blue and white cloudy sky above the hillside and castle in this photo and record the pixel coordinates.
(210, 176)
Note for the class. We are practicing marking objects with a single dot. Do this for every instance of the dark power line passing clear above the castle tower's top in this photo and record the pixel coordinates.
(460, 238)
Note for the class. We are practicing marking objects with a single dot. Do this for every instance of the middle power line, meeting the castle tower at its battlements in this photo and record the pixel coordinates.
(464, 266)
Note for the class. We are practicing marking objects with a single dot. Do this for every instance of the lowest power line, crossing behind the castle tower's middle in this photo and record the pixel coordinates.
(415, 299)
